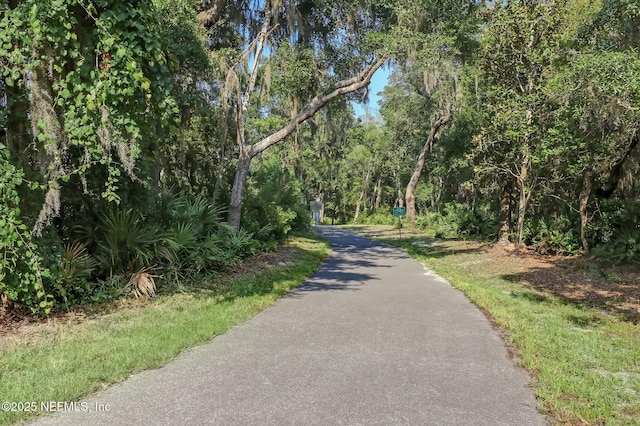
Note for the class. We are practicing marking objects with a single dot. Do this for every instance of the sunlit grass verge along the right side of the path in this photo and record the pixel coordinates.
(585, 362)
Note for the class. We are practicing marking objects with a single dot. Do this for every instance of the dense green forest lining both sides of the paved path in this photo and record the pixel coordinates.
(148, 143)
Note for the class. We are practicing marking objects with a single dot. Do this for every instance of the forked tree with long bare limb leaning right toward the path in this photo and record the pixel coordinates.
(329, 81)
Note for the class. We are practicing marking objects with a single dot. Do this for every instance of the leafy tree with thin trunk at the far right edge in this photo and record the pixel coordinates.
(598, 98)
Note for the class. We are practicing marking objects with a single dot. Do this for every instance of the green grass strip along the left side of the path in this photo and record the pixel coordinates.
(74, 361)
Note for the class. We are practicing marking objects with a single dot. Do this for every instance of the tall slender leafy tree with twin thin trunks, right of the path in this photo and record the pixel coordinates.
(519, 45)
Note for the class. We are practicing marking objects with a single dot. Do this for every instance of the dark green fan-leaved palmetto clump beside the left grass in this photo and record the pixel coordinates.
(184, 238)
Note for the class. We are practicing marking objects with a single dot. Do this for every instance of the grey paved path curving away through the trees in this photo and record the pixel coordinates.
(371, 339)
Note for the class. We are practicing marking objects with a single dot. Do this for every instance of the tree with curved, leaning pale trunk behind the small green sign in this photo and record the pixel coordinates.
(438, 40)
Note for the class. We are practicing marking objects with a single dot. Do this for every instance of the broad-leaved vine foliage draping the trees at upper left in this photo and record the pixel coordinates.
(97, 81)
